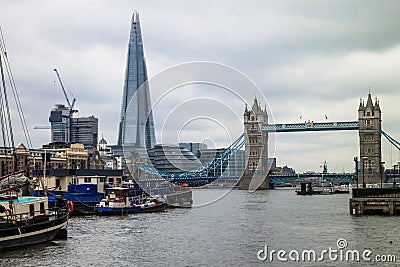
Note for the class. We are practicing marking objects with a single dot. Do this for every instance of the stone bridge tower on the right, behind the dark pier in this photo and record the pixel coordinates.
(370, 118)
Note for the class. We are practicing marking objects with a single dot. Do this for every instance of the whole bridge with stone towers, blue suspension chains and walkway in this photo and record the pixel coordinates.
(255, 140)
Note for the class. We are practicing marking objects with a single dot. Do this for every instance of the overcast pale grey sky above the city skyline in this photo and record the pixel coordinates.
(308, 59)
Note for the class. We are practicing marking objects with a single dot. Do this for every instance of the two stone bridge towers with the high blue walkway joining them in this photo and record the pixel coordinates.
(257, 128)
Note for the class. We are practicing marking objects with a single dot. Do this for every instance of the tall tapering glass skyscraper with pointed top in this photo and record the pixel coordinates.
(136, 127)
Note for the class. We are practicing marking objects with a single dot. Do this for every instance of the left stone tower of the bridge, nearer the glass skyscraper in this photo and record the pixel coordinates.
(256, 148)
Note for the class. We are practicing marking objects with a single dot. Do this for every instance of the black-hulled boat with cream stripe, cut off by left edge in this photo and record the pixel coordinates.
(28, 220)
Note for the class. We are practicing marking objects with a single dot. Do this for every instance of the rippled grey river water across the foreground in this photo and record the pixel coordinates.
(233, 231)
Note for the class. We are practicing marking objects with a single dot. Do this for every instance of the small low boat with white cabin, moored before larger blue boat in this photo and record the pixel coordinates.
(118, 201)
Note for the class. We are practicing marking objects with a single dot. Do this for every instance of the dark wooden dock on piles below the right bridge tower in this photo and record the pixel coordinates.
(375, 201)
